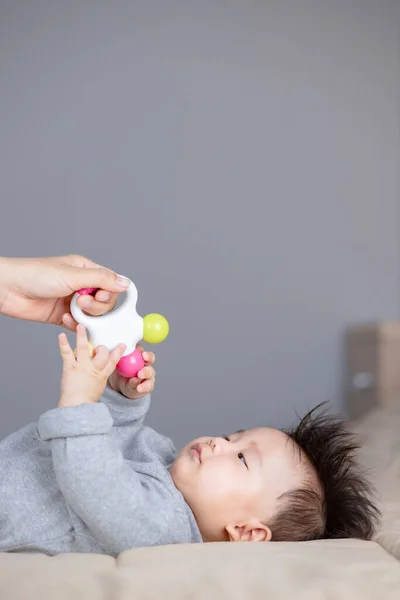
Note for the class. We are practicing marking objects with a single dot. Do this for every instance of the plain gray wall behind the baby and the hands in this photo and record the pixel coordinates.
(238, 159)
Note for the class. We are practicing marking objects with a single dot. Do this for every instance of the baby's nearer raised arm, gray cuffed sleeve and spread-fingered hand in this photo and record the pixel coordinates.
(120, 507)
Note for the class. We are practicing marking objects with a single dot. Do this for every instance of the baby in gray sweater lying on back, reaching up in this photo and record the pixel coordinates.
(91, 477)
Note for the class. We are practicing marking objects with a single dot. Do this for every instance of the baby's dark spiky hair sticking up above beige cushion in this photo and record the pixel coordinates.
(343, 507)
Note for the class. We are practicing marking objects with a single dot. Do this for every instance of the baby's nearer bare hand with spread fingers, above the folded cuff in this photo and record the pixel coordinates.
(84, 378)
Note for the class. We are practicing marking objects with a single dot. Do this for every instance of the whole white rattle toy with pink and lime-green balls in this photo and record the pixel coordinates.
(122, 326)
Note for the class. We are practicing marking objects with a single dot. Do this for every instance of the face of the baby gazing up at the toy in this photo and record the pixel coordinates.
(229, 480)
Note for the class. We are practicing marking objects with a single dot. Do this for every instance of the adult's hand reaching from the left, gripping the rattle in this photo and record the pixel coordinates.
(40, 289)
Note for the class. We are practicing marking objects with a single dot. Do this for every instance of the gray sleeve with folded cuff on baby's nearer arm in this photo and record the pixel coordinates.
(120, 507)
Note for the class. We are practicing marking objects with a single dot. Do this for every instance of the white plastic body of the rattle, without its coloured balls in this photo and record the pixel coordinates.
(121, 326)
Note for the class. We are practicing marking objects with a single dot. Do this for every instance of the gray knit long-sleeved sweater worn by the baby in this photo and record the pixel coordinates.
(91, 478)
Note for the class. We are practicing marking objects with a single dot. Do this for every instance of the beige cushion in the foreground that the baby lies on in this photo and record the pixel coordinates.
(343, 569)
